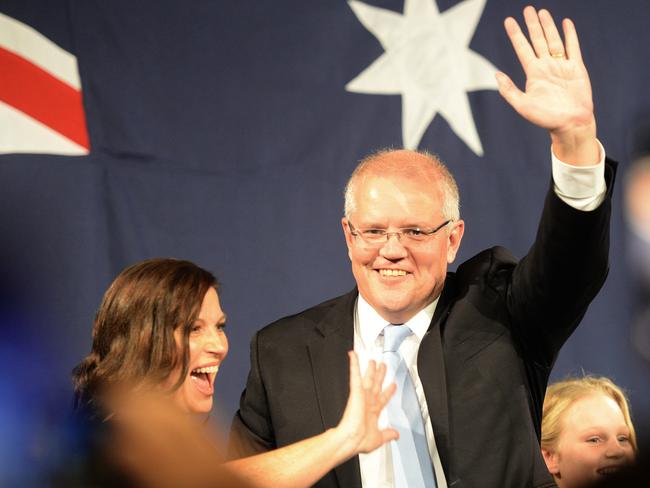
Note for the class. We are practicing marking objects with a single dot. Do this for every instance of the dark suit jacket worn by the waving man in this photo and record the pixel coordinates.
(484, 362)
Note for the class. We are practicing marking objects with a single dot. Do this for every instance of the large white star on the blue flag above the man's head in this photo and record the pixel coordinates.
(428, 61)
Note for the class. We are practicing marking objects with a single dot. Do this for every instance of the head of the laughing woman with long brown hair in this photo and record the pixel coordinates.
(152, 318)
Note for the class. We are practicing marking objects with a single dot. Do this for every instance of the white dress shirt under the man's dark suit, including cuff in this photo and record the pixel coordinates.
(583, 188)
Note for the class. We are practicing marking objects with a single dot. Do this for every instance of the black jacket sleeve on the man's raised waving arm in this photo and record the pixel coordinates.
(552, 286)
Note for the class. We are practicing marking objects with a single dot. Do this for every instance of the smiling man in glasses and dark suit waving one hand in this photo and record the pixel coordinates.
(481, 341)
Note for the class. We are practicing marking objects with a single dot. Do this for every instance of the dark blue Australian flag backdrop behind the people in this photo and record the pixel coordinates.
(223, 132)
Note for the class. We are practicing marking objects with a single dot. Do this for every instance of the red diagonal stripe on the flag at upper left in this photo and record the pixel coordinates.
(43, 97)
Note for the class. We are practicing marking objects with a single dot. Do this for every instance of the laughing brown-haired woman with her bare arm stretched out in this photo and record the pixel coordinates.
(160, 329)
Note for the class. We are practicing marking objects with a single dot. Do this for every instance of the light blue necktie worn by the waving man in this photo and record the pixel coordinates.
(412, 466)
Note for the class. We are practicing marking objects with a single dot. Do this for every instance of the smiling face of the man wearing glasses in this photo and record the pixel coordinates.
(399, 278)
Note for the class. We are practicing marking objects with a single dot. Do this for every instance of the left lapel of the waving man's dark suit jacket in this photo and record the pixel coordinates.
(329, 360)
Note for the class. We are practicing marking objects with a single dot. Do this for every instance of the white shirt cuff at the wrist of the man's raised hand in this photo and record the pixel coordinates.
(581, 187)
